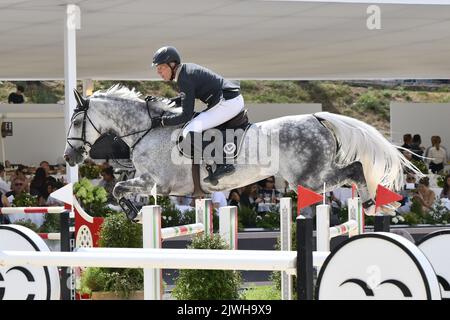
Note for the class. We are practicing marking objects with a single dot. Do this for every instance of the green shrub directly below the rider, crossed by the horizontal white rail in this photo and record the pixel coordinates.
(196, 284)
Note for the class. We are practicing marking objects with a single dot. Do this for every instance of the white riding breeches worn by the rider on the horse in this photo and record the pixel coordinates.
(220, 113)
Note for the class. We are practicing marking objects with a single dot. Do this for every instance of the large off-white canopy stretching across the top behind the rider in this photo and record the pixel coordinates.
(240, 39)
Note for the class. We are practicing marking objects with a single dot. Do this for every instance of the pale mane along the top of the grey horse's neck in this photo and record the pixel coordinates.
(121, 92)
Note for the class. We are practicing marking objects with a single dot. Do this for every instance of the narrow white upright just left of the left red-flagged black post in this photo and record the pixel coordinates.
(286, 245)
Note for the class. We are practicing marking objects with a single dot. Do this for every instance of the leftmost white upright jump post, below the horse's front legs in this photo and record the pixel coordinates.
(151, 238)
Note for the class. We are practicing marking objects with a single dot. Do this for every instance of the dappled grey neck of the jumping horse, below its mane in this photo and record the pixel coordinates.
(124, 121)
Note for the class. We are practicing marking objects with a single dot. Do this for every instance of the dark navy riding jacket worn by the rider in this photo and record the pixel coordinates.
(198, 82)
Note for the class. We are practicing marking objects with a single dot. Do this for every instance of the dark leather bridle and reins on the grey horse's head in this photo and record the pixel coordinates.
(83, 107)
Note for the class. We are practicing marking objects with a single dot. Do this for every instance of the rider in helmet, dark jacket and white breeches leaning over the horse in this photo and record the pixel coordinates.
(222, 97)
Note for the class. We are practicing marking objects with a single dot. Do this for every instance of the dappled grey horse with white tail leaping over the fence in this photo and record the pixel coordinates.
(309, 149)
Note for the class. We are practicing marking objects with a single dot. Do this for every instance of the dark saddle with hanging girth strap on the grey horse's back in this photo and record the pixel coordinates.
(232, 135)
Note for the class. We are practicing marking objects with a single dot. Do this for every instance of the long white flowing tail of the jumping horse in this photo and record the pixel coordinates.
(357, 141)
